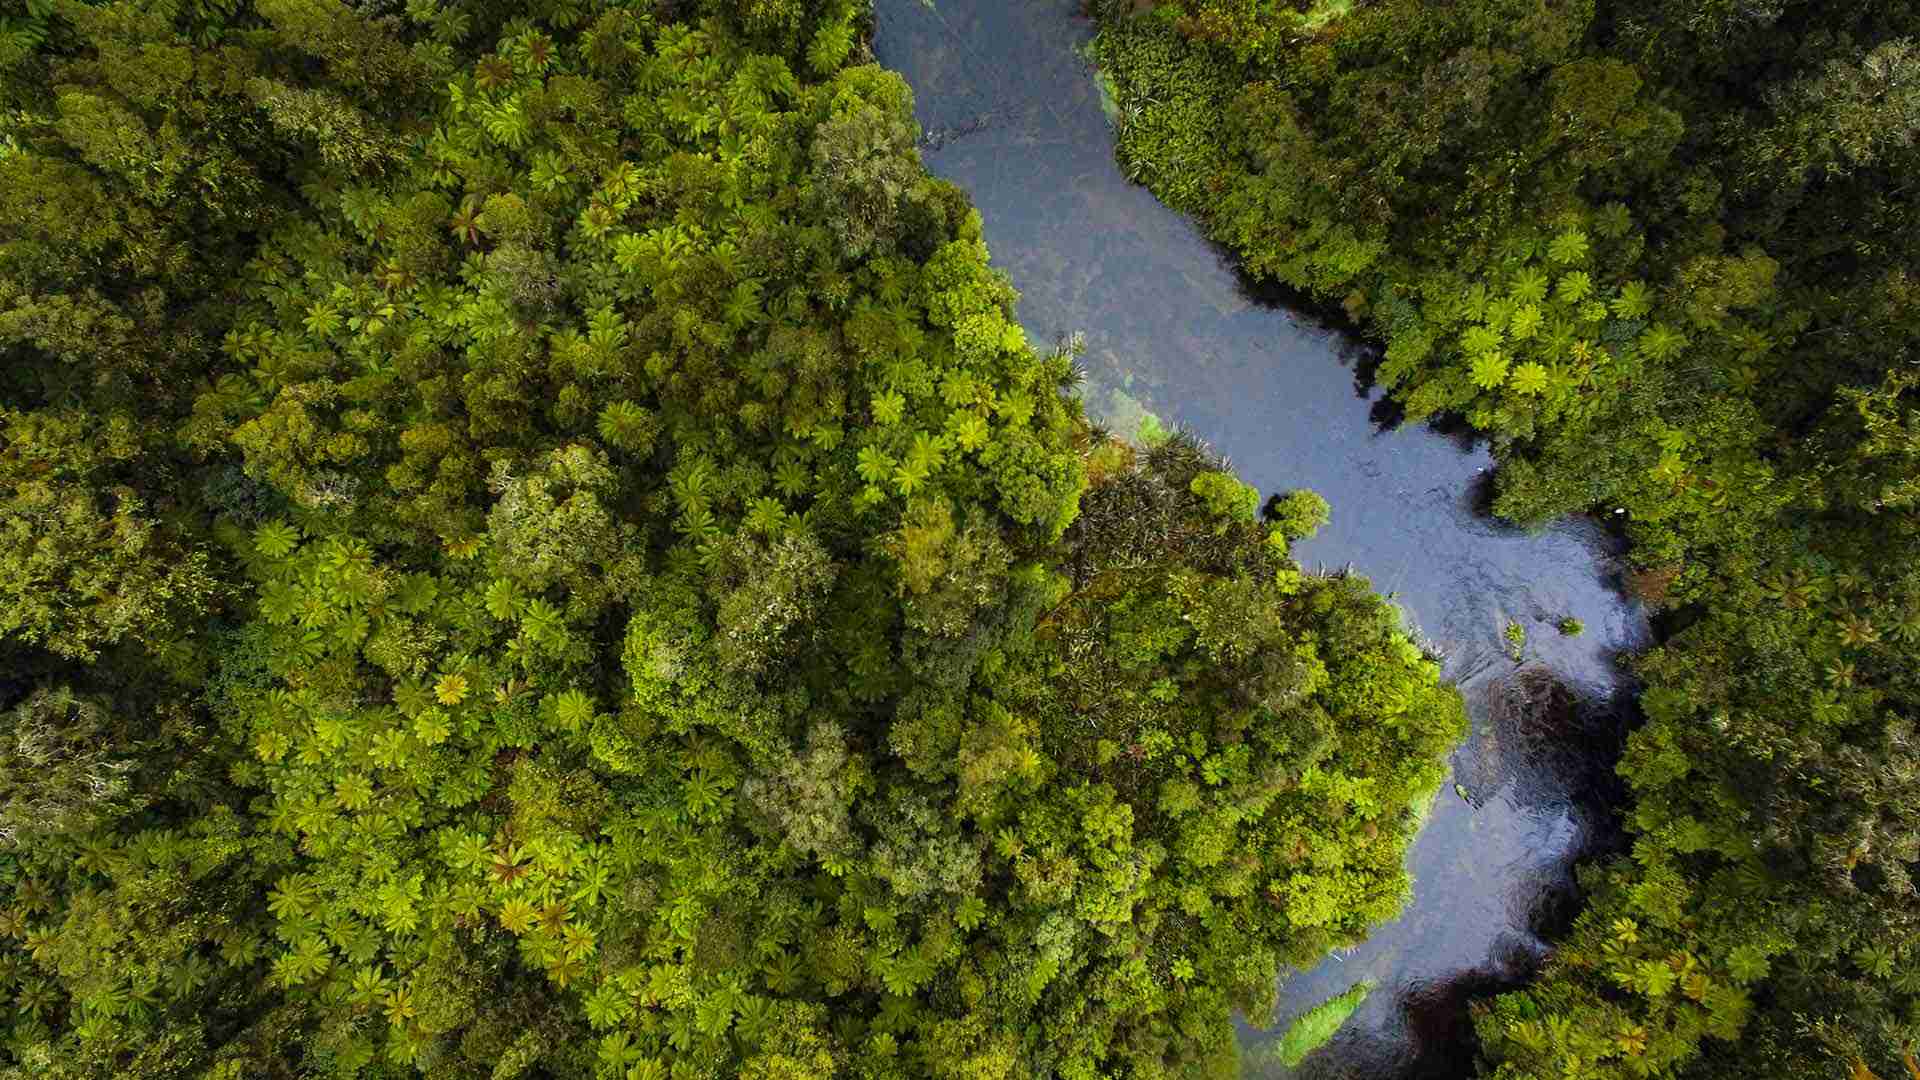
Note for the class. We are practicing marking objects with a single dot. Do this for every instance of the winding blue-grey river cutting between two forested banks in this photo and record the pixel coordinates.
(1013, 114)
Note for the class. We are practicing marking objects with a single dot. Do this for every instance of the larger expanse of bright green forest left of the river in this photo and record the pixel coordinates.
(535, 545)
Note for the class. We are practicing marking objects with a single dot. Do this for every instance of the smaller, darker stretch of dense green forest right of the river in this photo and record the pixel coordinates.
(1660, 255)
